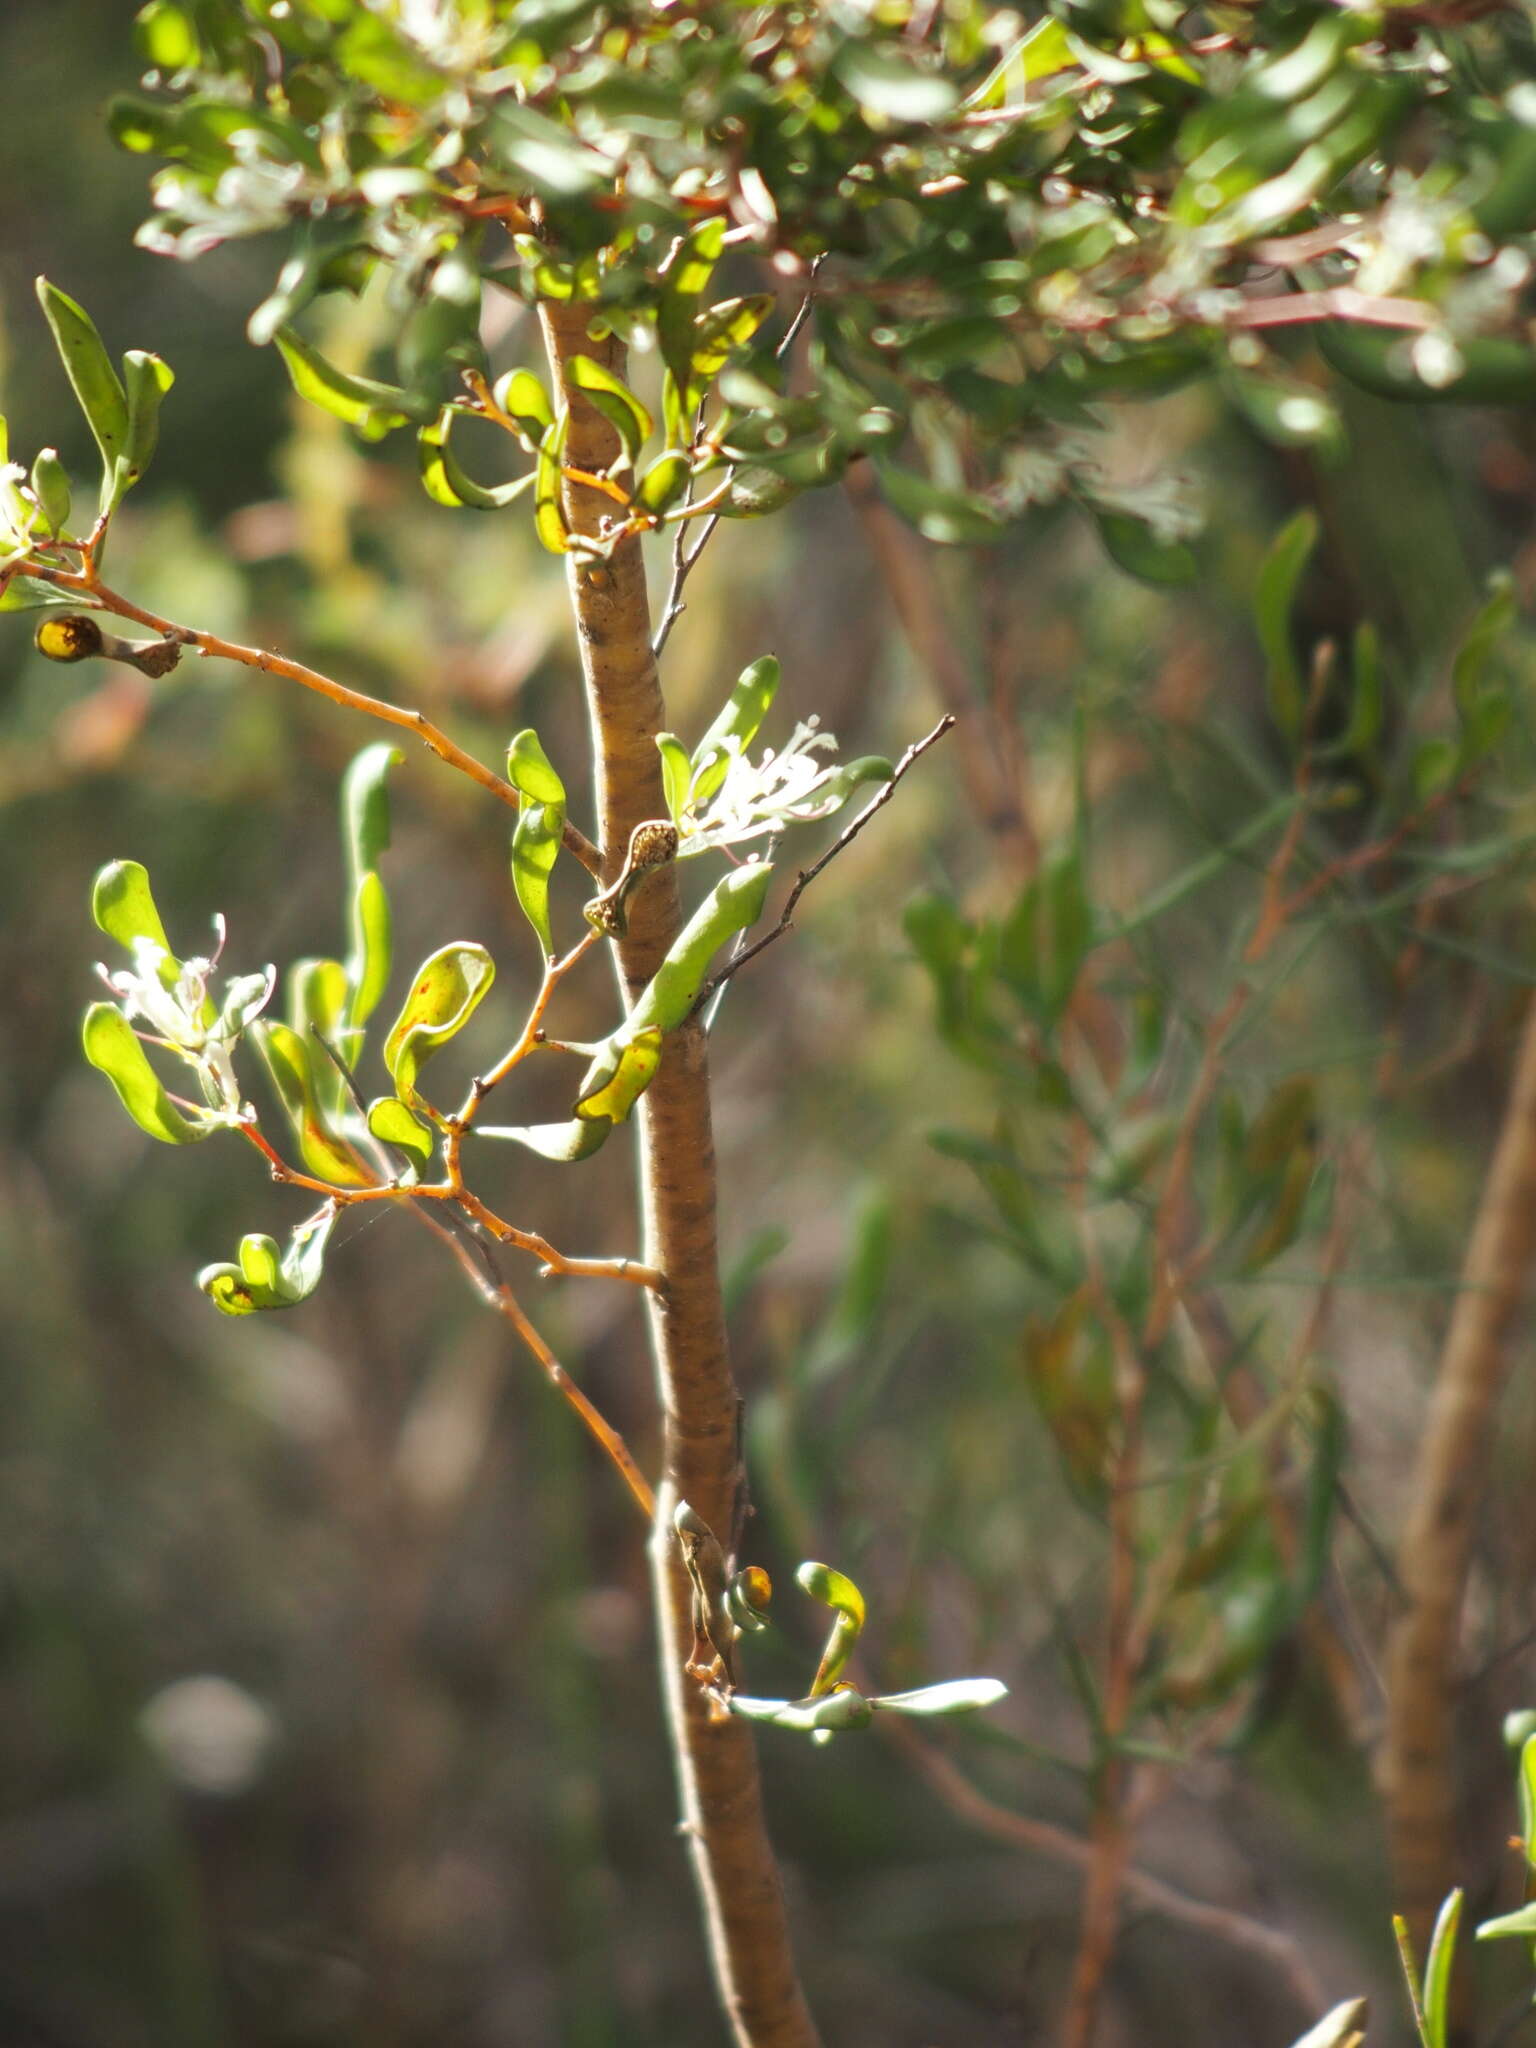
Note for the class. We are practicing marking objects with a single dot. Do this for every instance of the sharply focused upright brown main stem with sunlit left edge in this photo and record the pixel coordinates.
(718, 1768)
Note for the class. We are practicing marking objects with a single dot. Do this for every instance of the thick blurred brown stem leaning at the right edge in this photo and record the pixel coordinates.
(1445, 1494)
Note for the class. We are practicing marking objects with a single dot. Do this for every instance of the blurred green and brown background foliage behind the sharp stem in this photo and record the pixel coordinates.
(329, 1701)
